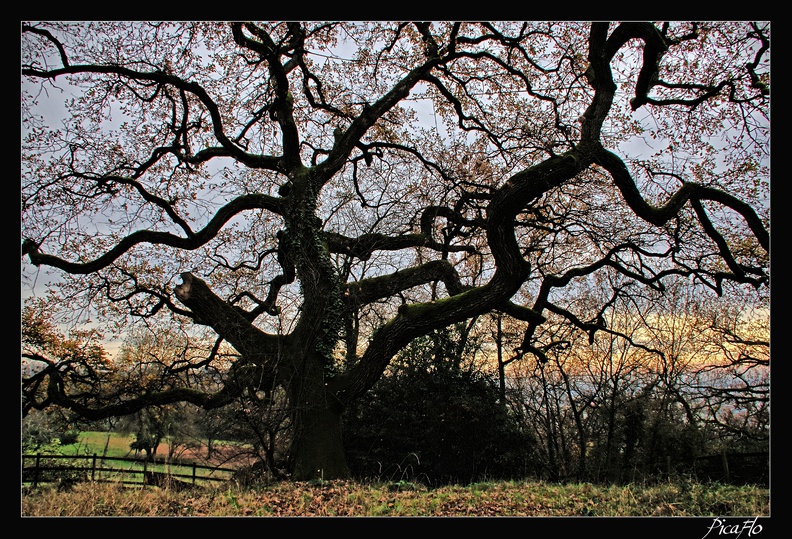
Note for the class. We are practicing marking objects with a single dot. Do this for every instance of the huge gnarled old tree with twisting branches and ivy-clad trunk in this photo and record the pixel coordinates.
(329, 192)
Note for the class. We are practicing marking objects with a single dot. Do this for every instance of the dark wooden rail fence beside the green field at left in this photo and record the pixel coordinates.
(61, 469)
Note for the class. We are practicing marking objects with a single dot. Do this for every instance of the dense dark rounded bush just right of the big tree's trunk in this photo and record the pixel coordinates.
(436, 425)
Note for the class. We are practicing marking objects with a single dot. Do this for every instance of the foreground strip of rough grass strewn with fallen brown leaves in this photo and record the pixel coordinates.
(395, 499)
